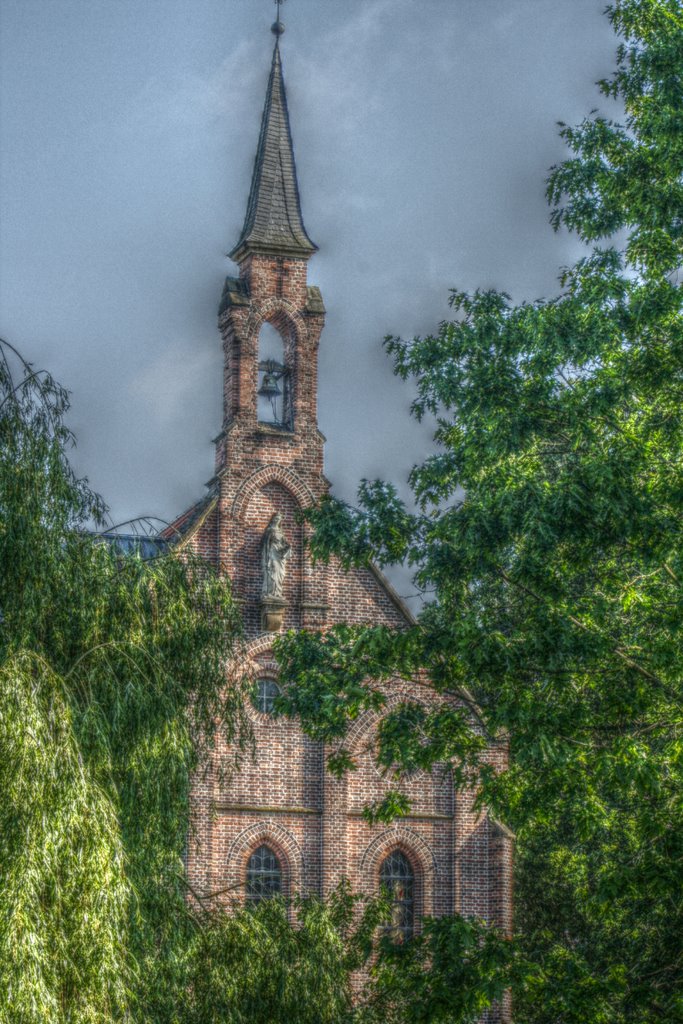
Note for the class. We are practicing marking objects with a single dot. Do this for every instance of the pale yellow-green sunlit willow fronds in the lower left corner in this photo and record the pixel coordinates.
(64, 893)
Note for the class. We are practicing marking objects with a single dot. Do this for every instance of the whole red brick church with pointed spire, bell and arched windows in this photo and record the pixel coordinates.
(282, 823)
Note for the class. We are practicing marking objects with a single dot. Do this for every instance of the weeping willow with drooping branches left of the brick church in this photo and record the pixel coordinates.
(110, 669)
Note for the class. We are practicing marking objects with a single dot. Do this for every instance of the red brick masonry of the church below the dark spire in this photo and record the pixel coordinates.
(285, 798)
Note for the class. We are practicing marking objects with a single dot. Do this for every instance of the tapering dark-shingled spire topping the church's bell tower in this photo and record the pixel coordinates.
(274, 224)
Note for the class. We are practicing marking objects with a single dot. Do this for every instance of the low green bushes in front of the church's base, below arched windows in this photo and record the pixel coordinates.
(317, 962)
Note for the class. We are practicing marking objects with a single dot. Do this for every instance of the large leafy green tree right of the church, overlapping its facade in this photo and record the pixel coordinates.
(549, 529)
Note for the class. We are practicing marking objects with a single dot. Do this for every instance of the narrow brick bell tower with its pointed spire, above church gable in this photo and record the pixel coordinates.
(271, 321)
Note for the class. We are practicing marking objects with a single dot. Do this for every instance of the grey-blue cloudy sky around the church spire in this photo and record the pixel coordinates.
(423, 134)
